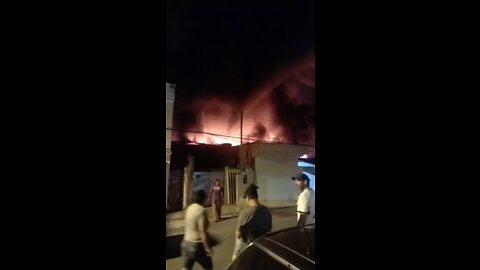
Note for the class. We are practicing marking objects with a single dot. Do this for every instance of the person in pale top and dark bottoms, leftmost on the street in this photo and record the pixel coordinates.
(195, 247)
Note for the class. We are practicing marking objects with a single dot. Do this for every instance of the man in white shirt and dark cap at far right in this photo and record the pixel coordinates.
(306, 200)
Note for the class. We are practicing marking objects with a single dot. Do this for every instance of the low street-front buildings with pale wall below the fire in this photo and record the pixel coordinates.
(269, 165)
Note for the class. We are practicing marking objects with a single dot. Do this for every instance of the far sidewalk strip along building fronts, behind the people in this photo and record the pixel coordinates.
(175, 222)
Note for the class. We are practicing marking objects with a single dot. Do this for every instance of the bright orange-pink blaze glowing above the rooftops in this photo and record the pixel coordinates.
(222, 122)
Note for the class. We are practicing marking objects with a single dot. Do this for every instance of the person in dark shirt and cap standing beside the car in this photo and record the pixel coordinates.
(253, 221)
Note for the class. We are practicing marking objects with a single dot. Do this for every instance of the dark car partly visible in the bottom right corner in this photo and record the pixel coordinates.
(292, 248)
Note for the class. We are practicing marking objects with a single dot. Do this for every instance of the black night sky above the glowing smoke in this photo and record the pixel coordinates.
(226, 50)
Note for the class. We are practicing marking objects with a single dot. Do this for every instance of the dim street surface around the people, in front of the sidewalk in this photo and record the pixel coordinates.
(224, 231)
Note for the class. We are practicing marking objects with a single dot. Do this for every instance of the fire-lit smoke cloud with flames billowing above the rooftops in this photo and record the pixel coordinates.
(279, 109)
